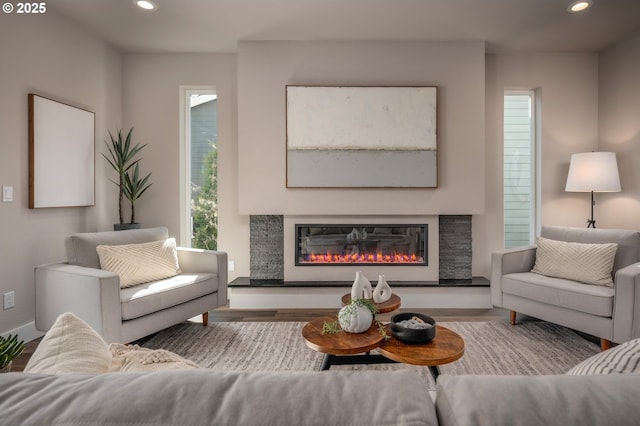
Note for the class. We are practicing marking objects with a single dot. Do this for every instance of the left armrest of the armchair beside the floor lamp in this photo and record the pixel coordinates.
(508, 261)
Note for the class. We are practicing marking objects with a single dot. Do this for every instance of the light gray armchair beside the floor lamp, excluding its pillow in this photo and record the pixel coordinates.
(609, 313)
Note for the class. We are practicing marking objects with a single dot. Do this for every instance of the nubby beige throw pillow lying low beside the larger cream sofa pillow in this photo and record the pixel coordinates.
(135, 358)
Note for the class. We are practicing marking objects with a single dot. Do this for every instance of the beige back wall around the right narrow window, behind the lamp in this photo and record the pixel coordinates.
(568, 87)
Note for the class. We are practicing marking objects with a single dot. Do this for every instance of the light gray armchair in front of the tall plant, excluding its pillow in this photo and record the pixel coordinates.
(127, 314)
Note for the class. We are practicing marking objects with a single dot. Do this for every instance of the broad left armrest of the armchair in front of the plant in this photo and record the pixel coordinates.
(93, 294)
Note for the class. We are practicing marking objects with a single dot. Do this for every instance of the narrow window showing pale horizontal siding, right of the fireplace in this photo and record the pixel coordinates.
(519, 168)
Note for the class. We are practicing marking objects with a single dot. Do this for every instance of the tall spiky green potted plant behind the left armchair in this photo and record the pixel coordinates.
(122, 158)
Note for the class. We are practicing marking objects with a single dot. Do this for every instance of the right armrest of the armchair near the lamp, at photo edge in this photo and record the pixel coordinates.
(626, 308)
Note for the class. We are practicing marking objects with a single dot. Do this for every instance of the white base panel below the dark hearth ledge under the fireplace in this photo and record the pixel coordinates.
(329, 298)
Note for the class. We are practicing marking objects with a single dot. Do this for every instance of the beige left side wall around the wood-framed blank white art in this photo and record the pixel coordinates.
(49, 56)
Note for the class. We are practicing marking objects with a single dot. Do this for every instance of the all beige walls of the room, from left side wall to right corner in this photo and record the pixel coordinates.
(56, 59)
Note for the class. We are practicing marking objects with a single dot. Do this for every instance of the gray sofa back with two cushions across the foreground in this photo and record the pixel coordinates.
(206, 397)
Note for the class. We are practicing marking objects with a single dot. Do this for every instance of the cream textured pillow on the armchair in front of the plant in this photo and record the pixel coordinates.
(140, 263)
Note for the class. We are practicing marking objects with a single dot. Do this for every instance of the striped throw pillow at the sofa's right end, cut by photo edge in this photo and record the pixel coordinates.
(624, 358)
